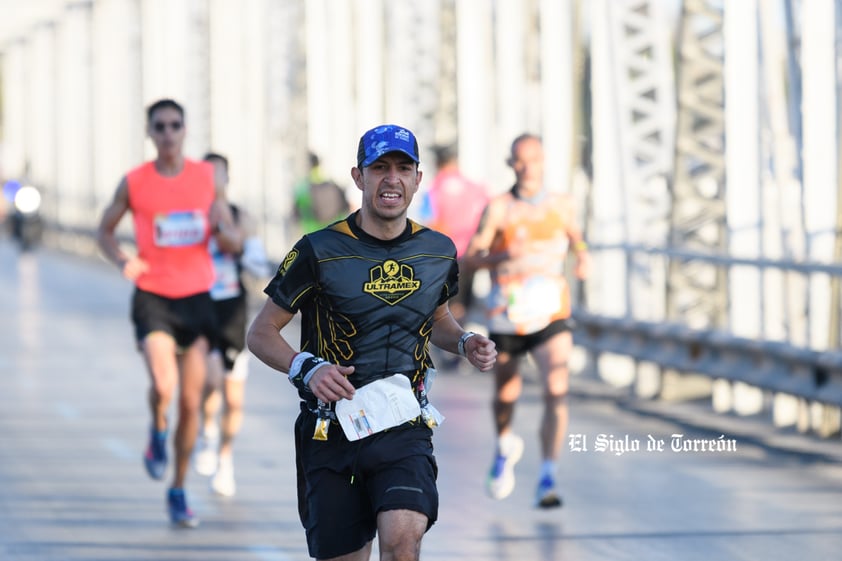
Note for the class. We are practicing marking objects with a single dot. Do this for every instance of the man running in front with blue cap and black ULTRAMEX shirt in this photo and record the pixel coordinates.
(372, 291)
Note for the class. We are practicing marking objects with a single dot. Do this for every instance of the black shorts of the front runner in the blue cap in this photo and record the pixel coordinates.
(342, 485)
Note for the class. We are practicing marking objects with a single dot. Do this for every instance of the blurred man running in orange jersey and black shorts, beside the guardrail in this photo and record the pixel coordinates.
(523, 239)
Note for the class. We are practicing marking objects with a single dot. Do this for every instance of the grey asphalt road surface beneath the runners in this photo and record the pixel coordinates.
(73, 422)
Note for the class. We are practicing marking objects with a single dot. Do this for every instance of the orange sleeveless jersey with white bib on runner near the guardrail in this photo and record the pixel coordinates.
(529, 291)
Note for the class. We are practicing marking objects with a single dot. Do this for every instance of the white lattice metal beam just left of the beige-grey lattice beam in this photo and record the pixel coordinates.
(645, 97)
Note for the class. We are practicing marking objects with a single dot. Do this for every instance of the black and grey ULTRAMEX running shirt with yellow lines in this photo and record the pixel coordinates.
(367, 302)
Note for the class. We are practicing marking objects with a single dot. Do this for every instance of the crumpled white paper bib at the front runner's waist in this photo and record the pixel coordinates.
(378, 406)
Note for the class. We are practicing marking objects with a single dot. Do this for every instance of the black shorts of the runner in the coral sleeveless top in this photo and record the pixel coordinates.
(186, 319)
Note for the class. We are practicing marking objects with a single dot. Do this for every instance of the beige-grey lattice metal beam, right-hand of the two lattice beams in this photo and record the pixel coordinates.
(696, 293)
